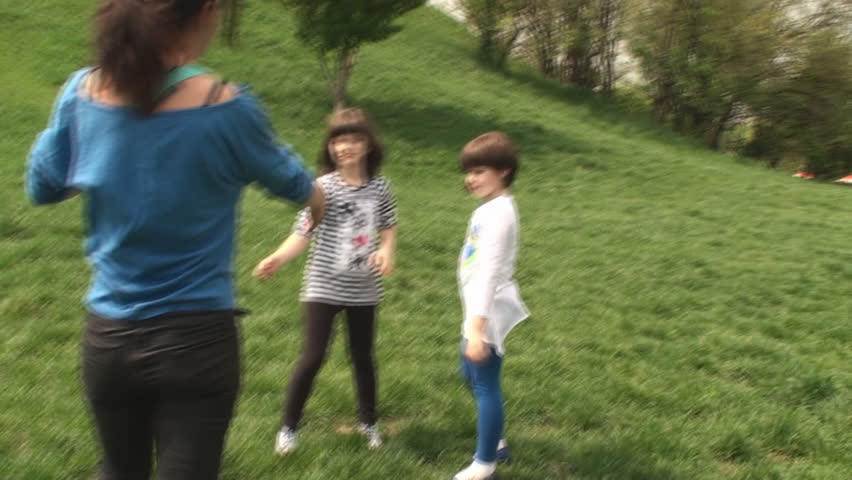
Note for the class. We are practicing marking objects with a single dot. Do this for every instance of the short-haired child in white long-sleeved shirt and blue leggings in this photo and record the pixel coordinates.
(490, 297)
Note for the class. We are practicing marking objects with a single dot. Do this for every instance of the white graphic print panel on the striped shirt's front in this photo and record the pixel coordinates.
(356, 235)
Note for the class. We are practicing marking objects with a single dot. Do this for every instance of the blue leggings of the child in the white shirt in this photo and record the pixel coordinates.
(484, 380)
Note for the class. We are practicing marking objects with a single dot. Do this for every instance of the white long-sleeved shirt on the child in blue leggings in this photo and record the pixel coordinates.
(486, 267)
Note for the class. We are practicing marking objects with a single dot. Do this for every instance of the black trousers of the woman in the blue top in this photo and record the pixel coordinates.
(168, 385)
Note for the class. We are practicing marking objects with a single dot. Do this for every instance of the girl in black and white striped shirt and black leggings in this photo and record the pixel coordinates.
(351, 249)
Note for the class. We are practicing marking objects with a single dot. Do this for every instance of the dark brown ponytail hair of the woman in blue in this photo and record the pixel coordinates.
(130, 39)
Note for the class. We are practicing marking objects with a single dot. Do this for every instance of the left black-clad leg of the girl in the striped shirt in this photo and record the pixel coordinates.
(319, 318)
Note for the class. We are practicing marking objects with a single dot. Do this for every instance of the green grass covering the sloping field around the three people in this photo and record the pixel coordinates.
(691, 311)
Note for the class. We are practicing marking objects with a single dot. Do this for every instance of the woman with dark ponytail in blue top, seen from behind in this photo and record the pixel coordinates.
(161, 148)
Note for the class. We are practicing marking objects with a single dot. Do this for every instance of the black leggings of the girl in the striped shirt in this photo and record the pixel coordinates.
(319, 319)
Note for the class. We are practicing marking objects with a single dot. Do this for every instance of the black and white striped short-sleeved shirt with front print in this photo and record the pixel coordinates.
(338, 269)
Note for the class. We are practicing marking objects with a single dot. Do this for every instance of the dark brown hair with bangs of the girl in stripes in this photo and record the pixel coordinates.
(353, 120)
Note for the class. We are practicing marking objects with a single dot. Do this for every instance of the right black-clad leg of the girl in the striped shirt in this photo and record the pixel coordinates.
(361, 323)
